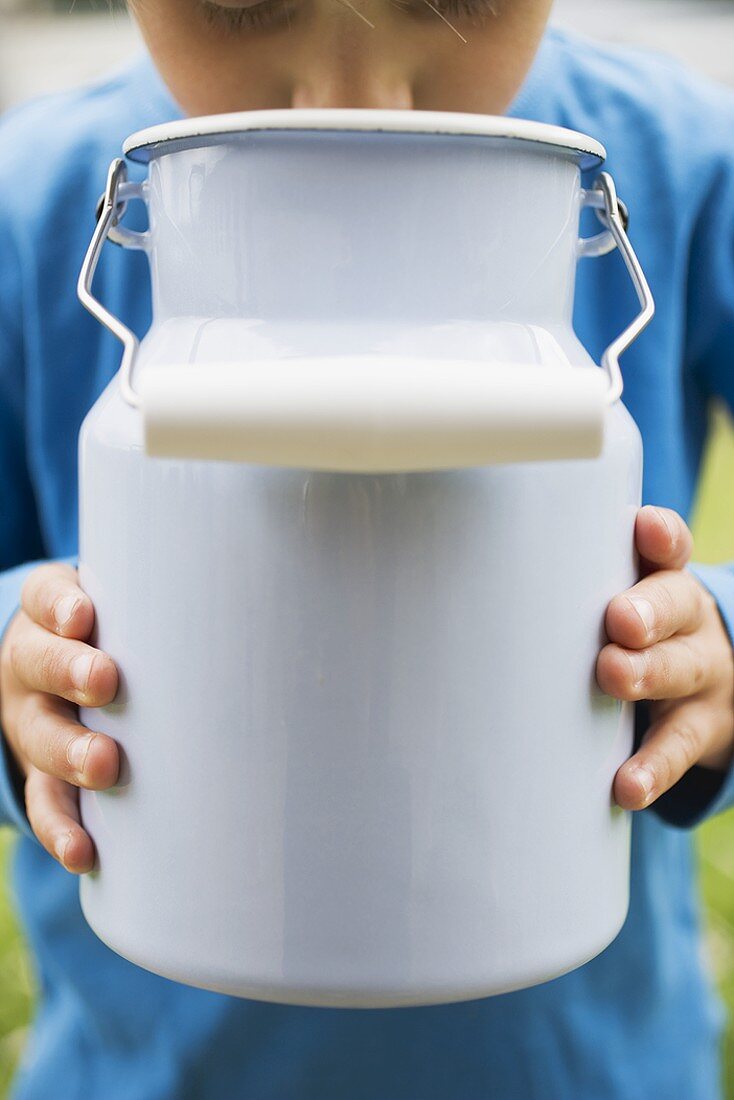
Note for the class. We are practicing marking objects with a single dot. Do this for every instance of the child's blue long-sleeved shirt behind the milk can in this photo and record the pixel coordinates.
(641, 1020)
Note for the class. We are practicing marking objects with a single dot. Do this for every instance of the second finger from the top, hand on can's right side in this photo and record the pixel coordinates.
(658, 608)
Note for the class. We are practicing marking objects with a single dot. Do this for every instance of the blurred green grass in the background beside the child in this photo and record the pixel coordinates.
(714, 525)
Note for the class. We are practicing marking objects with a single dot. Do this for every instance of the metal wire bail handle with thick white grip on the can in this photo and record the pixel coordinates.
(370, 414)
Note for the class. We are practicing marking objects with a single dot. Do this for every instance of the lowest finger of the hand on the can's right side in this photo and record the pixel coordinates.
(672, 746)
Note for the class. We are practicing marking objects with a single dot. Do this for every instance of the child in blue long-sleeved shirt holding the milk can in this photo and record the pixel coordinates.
(641, 1020)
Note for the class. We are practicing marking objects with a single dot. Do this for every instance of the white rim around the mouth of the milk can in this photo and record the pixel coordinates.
(191, 134)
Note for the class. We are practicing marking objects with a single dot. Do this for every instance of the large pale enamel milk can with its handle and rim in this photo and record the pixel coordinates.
(352, 514)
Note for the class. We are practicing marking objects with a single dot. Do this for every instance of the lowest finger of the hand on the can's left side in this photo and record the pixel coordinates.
(53, 811)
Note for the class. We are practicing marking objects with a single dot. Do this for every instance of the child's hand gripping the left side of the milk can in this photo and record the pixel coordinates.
(47, 670)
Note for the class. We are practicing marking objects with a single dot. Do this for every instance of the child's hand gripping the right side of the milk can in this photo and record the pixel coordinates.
(669, 643)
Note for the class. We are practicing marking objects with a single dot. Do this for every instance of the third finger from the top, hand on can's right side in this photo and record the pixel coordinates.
(673, 669)
